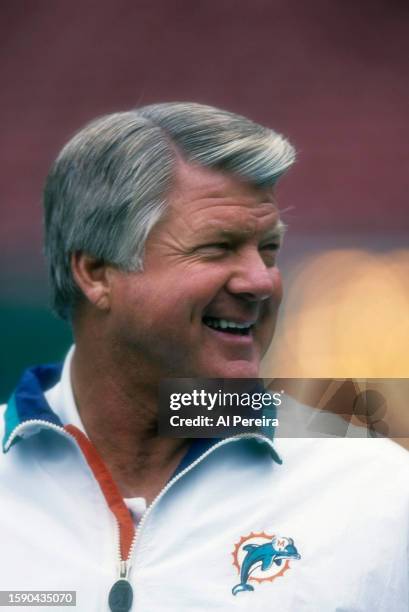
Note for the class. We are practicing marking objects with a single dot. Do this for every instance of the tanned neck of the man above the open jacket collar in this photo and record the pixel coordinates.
(119, 413)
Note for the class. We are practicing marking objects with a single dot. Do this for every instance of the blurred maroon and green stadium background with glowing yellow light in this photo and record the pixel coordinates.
(332, 76)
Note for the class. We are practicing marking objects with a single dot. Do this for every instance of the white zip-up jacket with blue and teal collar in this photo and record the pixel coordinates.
(326, 530)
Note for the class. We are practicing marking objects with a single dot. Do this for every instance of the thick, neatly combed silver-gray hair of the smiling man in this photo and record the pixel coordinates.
(108, 186)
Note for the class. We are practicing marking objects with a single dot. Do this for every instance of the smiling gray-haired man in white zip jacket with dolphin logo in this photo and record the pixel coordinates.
(162, 230)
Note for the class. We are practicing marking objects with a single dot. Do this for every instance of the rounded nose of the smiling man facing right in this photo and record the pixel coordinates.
(252, 279)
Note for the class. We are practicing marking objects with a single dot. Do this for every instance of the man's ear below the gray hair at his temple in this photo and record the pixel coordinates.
(92, 277)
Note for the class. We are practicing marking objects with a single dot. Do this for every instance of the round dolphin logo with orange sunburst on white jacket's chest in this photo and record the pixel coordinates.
(260, 557)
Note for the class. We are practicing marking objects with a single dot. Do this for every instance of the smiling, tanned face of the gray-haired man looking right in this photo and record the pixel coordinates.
(206, 303)
